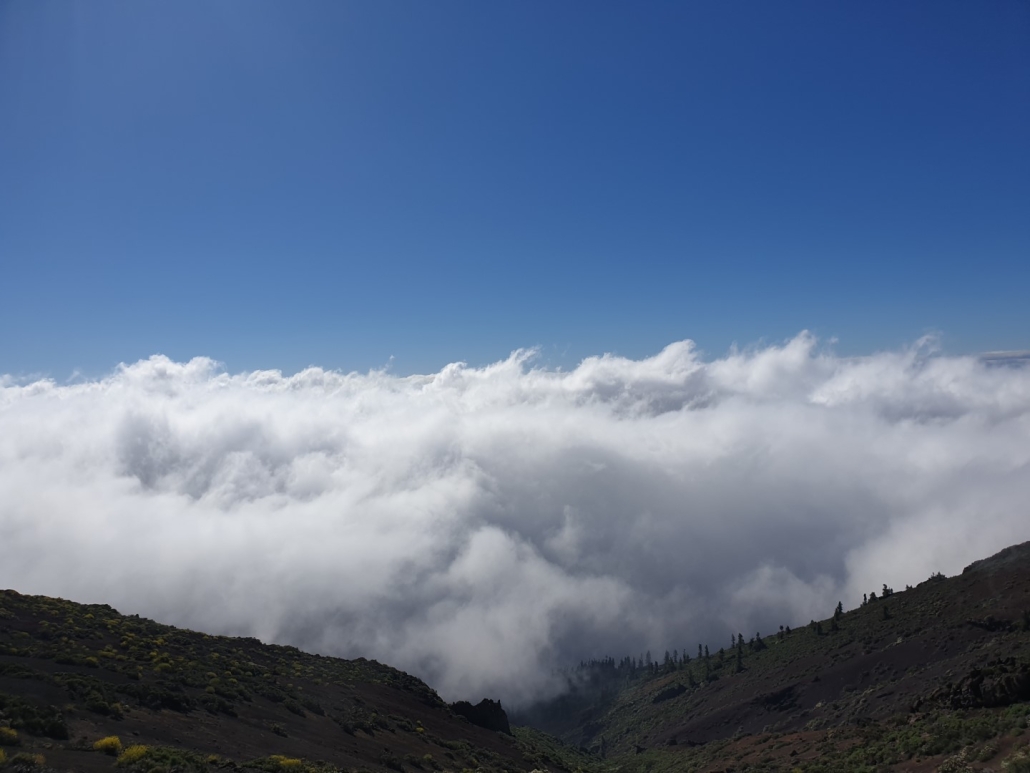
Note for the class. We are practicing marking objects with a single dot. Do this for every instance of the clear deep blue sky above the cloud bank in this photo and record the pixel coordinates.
(278, 185)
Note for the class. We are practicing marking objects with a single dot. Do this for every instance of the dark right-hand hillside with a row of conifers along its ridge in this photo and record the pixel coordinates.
(905, 682)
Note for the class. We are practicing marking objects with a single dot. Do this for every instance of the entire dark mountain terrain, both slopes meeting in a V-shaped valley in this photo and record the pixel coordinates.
(936, 678)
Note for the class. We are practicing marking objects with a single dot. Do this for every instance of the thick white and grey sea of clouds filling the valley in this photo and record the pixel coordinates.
(479, 527)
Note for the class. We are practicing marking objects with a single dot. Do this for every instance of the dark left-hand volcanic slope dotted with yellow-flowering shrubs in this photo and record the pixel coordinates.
(72, 675)
